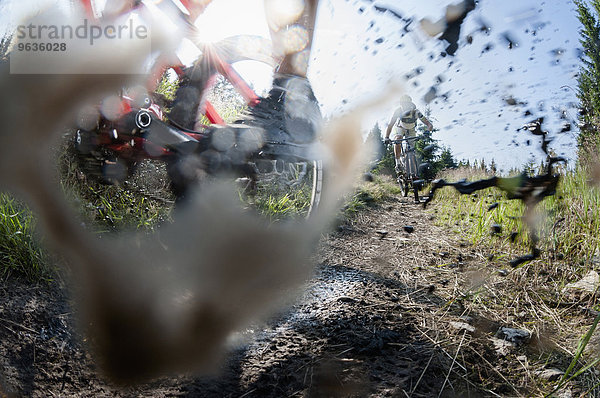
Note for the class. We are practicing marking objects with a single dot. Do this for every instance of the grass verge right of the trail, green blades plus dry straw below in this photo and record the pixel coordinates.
(568, 225)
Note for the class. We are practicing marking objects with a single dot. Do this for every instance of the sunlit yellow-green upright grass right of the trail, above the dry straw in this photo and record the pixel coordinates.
(569, 222)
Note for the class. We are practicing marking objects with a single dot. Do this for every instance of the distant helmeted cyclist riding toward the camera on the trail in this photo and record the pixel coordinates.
(403, 124)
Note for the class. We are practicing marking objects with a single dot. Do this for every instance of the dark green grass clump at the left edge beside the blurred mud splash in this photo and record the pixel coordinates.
(21, 251)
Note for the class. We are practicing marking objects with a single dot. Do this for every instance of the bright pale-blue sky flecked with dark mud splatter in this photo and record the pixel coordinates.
(359, 52)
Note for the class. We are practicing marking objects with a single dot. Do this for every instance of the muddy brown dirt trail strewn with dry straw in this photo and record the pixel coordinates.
(373, 321)
